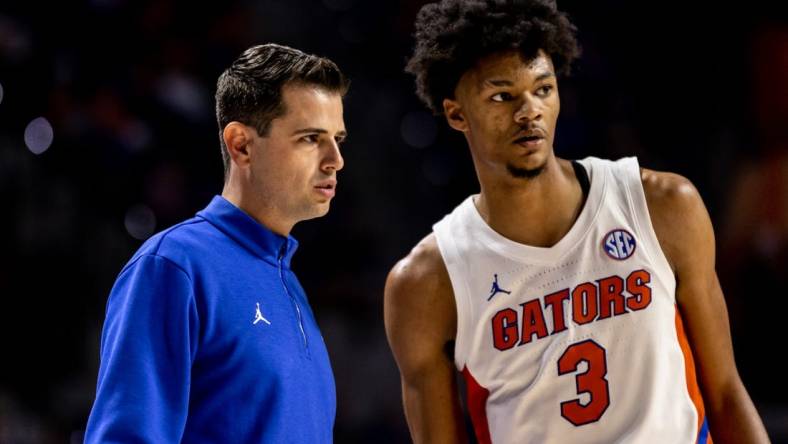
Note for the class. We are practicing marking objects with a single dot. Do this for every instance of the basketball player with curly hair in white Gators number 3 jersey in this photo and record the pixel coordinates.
(578, 300)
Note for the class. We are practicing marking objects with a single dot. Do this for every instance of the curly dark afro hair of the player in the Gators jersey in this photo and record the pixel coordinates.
(452, 35)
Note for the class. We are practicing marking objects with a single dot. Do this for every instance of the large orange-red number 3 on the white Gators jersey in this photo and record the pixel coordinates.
(592, 381)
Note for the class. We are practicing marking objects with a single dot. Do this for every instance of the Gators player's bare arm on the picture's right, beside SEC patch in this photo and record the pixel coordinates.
(684, 230)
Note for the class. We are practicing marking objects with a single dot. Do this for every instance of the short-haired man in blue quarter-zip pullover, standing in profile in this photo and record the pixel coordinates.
(208, 336)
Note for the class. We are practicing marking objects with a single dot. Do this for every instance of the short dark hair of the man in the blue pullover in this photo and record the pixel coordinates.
(250, 90)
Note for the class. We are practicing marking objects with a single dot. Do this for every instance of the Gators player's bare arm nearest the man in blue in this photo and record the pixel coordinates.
(421, 323)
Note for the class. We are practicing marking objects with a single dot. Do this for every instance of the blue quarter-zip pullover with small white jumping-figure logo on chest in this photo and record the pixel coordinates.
(209, 337)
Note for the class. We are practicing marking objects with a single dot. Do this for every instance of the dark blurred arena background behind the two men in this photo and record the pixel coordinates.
(107, 135)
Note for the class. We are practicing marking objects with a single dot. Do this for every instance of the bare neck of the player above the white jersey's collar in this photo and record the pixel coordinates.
(538, 211)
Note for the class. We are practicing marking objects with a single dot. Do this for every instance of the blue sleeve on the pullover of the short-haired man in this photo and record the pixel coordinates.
(147, 347)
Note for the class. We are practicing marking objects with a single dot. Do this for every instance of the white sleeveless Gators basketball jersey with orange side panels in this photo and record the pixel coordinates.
(580, 342)
